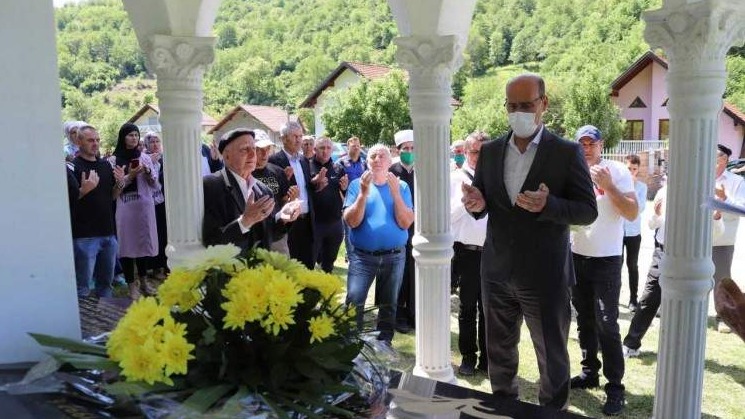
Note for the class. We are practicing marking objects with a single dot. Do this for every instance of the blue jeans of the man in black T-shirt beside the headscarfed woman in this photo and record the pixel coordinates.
(95, 258)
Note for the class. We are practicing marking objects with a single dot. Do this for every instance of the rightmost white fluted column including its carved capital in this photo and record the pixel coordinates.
(696, 37)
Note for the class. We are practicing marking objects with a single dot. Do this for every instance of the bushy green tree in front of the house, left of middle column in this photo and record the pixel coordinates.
(371, 110)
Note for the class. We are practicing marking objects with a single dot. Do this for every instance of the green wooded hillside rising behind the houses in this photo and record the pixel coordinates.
(275, 52)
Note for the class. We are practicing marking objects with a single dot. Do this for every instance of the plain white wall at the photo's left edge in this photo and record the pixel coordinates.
(37, 278)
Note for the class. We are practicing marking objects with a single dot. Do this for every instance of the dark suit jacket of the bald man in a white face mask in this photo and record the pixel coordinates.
(533, 248)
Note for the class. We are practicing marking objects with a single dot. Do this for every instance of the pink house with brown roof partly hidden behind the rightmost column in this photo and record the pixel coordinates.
(641, 93)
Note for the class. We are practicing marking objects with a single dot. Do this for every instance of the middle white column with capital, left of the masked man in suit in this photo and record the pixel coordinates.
(431, 61)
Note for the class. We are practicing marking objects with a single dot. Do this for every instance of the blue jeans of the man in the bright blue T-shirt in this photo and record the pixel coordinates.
(388, 271)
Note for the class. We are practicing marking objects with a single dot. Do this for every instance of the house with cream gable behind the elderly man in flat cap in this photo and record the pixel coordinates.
(267, 118)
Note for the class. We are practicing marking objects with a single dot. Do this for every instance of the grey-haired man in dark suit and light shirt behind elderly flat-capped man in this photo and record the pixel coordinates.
(300, 238)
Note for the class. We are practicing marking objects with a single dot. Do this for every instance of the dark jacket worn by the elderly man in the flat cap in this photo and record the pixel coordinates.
(223, 204)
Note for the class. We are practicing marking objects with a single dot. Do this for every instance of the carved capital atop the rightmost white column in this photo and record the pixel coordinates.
(699, 34)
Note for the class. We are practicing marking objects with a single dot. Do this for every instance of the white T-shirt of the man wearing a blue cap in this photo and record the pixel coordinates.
(604, 237)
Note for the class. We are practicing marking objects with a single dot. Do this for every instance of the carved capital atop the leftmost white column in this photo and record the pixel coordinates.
(180, 57)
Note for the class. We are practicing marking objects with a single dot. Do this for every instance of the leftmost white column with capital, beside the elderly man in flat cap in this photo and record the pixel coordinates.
(179, 63)
